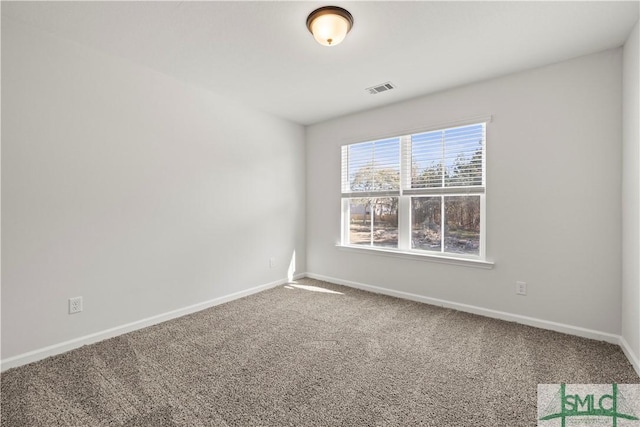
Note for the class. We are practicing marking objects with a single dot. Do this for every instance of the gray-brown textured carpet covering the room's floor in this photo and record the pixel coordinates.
(291, 356)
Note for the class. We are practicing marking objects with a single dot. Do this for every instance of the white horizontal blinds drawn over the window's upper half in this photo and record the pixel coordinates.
(446, 161)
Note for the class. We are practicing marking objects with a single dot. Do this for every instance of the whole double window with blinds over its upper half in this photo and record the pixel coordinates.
(420, 193)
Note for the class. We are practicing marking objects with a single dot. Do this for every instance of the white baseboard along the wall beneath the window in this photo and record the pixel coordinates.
(530, 321)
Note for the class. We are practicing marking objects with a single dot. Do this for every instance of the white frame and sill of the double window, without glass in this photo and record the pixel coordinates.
(405, 193)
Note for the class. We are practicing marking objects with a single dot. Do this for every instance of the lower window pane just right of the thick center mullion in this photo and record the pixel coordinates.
(426, 223)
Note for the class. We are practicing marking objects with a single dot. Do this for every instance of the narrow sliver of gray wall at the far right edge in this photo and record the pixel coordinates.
(630, 195)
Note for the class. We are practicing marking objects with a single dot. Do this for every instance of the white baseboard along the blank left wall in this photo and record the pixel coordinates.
(52, 350)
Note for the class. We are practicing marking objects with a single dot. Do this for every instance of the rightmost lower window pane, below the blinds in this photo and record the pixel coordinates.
(462, 231)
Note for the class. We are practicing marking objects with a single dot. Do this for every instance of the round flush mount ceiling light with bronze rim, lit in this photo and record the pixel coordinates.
(329, 25)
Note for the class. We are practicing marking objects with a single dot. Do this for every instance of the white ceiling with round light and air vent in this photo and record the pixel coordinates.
(262, 54)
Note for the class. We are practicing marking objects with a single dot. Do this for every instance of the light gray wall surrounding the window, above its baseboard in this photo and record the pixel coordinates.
(553, 194)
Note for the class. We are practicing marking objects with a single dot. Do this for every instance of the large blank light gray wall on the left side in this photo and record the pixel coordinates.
(133, 190)
